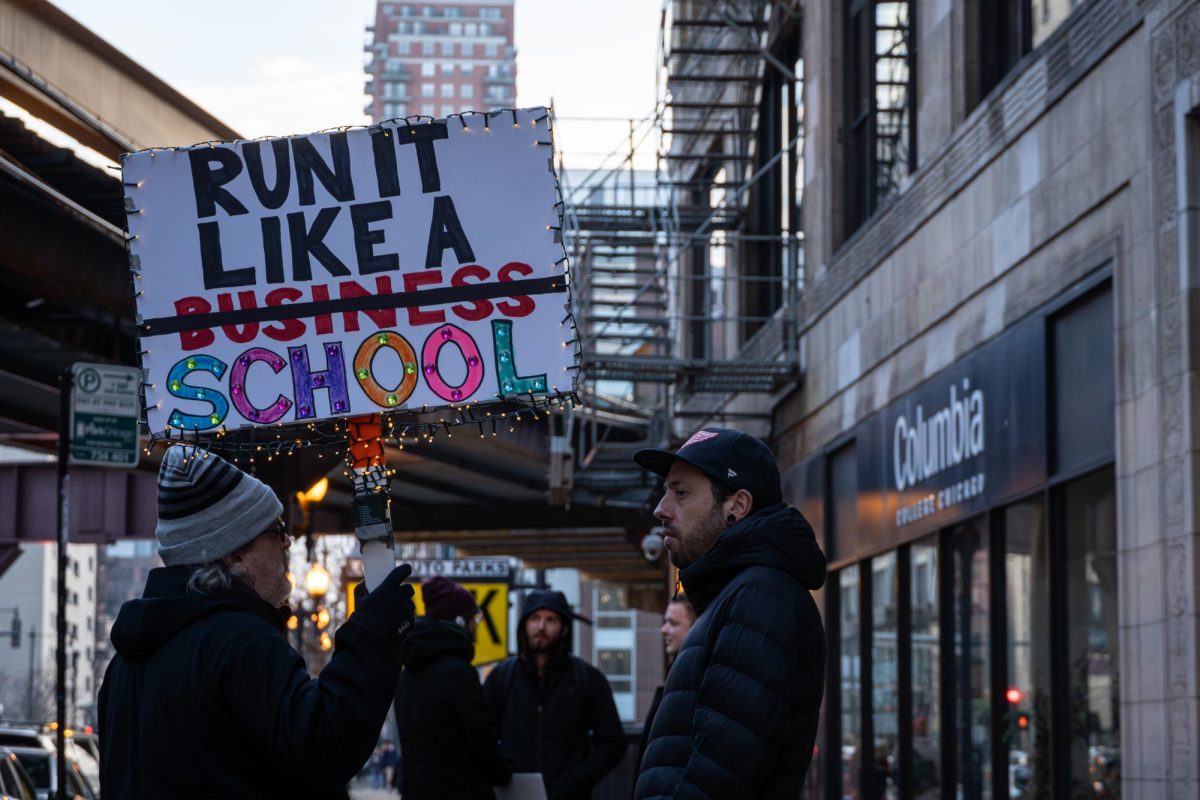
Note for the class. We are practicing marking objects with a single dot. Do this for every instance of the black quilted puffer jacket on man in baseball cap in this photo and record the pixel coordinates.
(740, 711)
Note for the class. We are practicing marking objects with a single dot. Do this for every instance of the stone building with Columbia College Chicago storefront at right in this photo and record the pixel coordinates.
(1016, 613)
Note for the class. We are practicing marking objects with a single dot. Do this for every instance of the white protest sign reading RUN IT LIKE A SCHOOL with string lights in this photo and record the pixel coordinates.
(400, 267)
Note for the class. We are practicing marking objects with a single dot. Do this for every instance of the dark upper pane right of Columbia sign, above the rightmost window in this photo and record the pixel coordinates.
(1084, 417)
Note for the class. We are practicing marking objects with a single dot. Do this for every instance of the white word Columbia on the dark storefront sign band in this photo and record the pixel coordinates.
(923, 448)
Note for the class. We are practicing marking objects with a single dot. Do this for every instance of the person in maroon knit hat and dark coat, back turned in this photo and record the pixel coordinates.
(449, 747)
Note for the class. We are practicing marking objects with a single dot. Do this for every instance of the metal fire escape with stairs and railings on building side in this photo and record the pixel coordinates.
(675, 327)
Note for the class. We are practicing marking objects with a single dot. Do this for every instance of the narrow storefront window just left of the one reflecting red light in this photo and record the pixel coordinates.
(973, 664)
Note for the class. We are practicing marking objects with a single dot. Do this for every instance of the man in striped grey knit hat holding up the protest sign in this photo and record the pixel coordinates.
(206, 699)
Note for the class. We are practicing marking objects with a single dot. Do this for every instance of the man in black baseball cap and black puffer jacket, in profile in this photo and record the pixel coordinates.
(740, 711)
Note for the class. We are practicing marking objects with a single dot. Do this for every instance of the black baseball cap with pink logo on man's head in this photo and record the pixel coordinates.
(733, 459)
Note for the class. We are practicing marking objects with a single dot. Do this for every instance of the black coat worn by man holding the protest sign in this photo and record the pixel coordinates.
(206, 699)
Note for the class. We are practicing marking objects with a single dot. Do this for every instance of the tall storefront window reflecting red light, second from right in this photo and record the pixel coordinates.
(1028, 697)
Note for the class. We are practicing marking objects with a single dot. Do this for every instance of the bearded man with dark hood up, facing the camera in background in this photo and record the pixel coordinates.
(555, 712)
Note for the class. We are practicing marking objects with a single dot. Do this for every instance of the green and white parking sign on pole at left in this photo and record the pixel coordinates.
(105, 416)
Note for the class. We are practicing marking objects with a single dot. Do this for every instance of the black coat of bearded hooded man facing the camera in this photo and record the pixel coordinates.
(565, 726)
